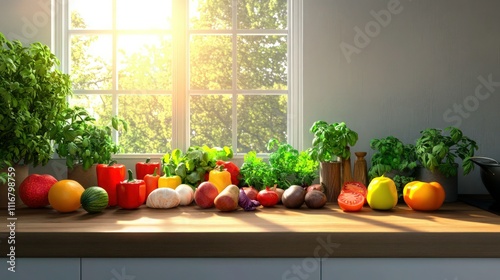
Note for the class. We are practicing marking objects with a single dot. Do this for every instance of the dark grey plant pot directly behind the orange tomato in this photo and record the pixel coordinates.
(449, 184)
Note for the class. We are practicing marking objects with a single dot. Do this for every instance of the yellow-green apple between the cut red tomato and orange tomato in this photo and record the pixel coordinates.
(382, 193)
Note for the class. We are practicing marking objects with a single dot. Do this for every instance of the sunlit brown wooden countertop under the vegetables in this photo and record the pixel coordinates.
(456, 230)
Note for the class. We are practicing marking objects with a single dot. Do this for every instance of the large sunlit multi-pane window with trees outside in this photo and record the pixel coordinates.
(185, 72)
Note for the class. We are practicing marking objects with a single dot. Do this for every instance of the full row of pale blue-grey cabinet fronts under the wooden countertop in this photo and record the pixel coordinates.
(251, 269)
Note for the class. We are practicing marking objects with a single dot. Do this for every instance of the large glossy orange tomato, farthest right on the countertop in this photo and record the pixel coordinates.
(424, 196)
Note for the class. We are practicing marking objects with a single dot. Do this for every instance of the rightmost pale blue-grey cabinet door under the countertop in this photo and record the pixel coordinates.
(411, 269)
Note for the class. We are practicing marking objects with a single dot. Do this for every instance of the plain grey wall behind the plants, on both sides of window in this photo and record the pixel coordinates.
(409, 73)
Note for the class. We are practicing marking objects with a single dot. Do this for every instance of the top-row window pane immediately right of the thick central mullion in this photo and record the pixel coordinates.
(210, 14)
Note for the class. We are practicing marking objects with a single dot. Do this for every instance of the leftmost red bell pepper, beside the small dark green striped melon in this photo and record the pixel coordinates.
(108, 177)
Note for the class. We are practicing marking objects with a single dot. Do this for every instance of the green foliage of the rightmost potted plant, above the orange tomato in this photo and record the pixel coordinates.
(437, 151)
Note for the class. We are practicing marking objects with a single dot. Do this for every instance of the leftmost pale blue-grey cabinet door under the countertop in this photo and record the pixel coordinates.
(41, 269)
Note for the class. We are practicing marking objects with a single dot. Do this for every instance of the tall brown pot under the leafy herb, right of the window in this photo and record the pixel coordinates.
(330, 175)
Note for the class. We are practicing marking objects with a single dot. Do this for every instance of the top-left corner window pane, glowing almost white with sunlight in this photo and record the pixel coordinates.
(90, 14)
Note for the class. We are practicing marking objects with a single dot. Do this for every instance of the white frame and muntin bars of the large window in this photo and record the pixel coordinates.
(180, 90)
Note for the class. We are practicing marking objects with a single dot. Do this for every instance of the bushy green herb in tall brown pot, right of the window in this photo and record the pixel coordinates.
(332, 141)
